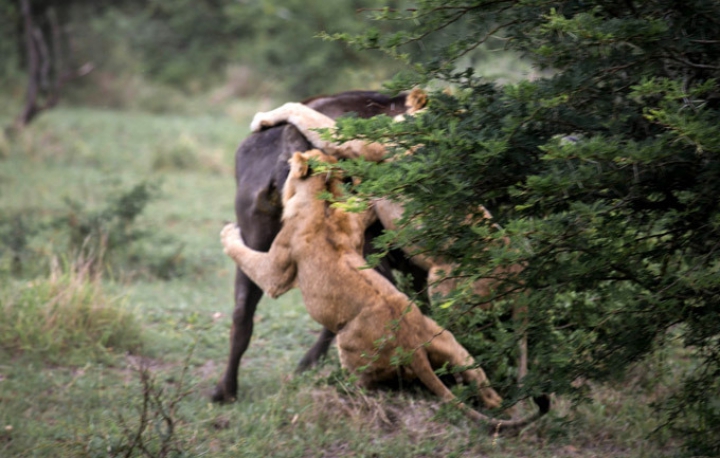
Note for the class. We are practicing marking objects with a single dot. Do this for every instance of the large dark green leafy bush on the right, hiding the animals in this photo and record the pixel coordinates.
(604, 174)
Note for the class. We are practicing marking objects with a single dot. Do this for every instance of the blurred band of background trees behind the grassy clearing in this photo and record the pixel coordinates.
(143, 52)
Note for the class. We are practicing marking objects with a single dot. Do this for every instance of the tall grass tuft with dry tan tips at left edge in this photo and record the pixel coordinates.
(66, 318)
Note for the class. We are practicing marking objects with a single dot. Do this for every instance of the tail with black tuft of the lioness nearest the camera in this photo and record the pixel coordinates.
(422, 368)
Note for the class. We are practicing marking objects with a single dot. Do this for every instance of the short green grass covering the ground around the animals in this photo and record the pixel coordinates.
(86, 397)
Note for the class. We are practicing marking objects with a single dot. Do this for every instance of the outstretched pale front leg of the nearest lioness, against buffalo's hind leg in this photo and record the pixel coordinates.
(274, 272)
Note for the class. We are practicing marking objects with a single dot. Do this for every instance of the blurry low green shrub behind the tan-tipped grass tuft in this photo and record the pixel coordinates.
(108, 238)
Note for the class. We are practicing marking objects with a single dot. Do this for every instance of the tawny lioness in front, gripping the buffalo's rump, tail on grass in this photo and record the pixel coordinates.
(380, 333)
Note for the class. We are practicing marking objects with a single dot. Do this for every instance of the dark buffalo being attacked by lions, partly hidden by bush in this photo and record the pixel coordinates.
(260, 170)
